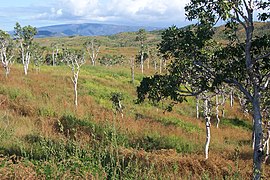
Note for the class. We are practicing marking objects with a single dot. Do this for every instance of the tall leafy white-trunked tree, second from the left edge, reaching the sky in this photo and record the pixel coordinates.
(24, 36)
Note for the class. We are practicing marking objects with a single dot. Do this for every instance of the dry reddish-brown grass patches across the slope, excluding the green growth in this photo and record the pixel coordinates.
(51, 89)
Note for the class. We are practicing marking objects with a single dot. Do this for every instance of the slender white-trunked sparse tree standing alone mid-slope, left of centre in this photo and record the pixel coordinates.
(74, 59)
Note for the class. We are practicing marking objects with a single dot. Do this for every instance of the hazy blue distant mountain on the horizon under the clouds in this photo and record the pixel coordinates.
(87, 29)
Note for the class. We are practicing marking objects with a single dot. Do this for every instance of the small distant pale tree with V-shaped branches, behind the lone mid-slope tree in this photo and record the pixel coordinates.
(93, 48)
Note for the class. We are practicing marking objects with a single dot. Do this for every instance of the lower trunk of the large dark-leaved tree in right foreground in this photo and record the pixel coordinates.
(258, 152)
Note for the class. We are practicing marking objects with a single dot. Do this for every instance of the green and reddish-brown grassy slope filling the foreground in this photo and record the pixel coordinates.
(44, 137)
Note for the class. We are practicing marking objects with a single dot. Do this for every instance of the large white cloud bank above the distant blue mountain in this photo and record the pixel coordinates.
(137, 12)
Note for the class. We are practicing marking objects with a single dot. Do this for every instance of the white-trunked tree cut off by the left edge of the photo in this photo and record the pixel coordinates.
(6, 51)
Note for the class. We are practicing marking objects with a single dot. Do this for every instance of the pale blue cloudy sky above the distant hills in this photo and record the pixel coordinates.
(38, 13)
